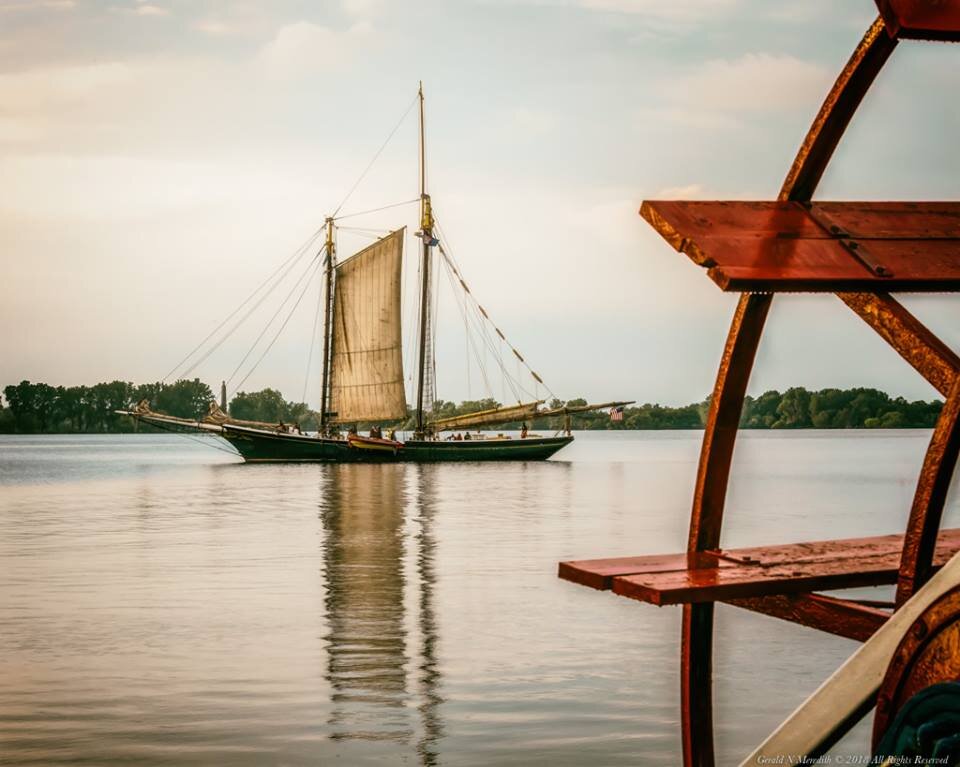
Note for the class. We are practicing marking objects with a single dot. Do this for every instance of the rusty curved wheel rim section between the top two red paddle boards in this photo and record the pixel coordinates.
(837, 110)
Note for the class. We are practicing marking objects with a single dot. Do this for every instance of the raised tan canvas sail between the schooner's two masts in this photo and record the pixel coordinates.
(367, 358)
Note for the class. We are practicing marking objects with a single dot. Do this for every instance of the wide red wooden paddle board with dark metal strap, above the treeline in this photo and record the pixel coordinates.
(823, 247)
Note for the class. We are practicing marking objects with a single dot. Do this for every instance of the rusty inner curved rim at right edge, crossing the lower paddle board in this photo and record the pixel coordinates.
(920, 540)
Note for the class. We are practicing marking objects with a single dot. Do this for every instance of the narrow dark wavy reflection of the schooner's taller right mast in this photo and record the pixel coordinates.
(430, 678)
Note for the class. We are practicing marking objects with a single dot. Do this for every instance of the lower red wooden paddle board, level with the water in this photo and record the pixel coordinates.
(732, 574)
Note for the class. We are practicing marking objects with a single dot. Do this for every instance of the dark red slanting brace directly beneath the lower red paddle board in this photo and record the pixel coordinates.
(834, 616)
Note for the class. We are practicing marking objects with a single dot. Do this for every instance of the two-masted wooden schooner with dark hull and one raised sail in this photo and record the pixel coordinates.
(363, 379)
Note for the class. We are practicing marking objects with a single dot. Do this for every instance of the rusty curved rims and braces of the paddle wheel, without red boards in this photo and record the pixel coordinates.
(936, 362)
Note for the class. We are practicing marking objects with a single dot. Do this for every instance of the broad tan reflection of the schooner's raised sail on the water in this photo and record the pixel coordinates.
(366, 640)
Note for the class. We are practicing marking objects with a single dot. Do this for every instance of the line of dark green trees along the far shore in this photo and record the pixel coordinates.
(39, 408)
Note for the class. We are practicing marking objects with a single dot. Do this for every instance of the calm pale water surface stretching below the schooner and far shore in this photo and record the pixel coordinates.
(162, 603)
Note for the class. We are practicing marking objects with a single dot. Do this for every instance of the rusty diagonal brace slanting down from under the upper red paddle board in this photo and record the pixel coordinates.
(926, 353)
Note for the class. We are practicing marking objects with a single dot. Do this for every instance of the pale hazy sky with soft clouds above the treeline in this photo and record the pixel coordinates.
(159, 159)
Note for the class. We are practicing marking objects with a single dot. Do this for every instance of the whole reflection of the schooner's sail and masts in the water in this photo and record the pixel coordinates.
(381, 641)
